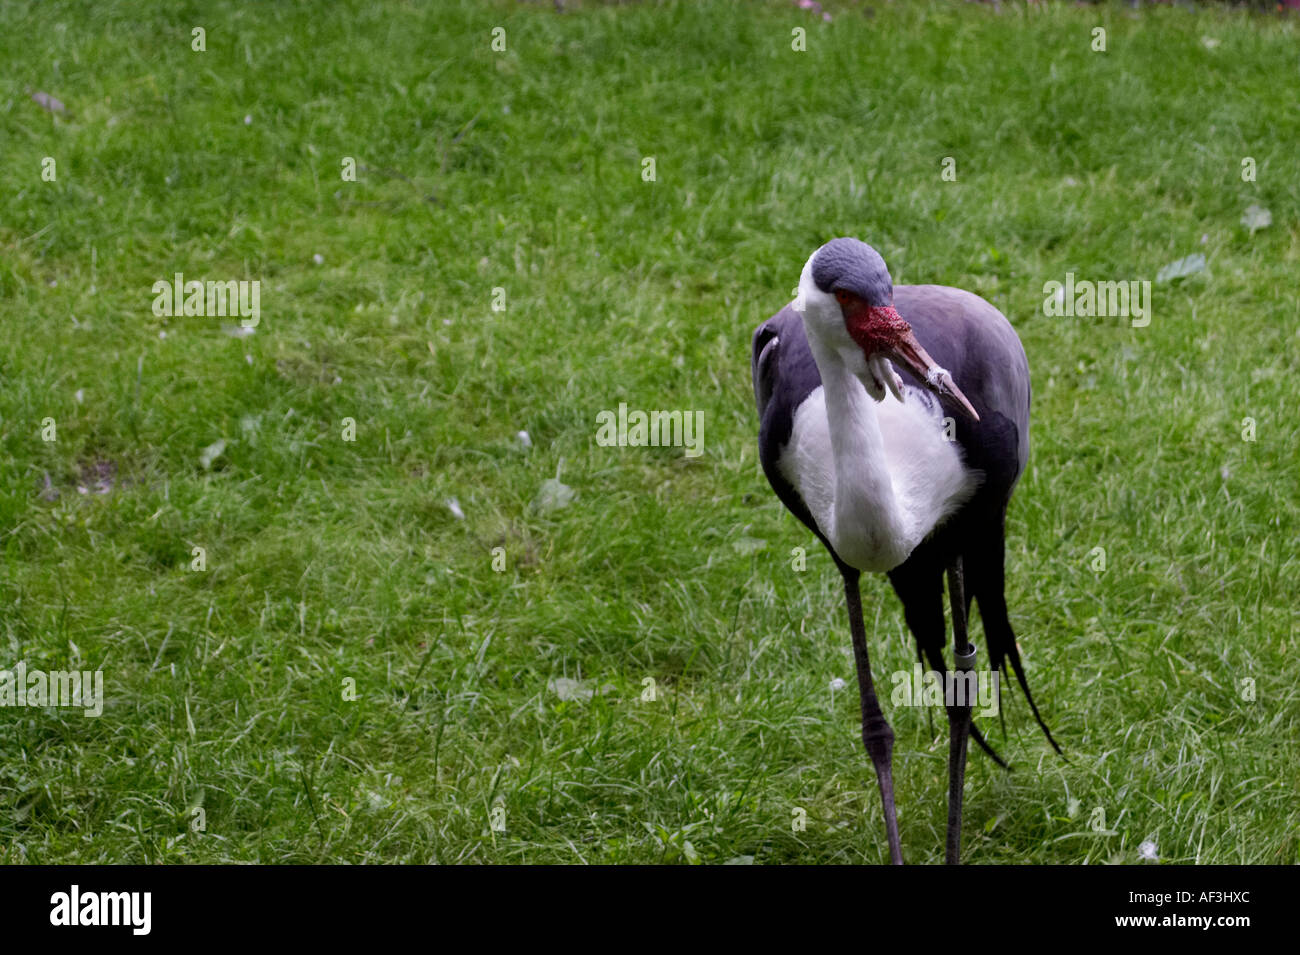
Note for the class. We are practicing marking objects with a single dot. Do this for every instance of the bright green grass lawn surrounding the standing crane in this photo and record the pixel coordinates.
(332, 561)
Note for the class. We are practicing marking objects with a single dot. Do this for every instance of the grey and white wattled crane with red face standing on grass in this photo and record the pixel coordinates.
(907, 474)
